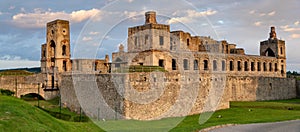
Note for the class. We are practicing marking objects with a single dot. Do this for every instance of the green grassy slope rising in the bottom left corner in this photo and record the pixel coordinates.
(18, 115)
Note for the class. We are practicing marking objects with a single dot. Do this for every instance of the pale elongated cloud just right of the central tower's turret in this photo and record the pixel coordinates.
(189, 15)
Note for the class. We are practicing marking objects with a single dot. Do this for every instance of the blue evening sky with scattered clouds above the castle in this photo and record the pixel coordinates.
(99, 26)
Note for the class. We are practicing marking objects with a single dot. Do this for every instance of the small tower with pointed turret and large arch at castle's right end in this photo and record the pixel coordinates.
(274, 47)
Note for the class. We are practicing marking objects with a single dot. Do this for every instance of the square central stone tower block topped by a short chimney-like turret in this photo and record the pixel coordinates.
(150, 36)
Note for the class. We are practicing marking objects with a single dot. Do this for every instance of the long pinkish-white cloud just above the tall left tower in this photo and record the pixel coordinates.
(38, 18)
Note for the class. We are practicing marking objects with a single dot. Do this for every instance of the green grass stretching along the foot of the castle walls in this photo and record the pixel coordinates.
(19, 115)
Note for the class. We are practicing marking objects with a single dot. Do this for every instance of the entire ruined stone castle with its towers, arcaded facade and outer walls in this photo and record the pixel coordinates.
(171, 68)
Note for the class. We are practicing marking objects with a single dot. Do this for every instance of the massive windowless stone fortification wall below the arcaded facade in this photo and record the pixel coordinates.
(150, 95)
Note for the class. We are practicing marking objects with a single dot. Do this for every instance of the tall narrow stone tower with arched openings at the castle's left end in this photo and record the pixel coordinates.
(55, 56)
